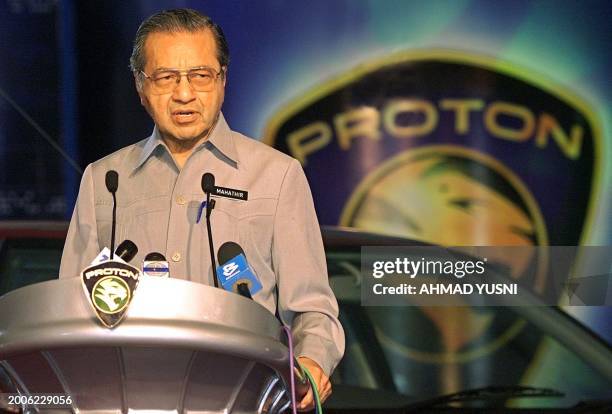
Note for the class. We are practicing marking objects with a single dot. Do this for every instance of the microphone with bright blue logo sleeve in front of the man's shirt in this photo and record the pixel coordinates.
(234, 272)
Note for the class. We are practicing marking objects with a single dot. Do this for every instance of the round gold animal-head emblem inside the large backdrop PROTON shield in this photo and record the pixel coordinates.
(441, 194)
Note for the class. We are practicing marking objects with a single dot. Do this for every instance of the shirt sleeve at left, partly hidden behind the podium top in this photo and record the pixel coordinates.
(81, 245)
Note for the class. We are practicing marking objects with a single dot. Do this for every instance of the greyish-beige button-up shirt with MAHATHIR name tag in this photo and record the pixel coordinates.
(157, 207)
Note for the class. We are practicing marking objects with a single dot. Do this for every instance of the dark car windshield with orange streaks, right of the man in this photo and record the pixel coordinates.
(421, 352)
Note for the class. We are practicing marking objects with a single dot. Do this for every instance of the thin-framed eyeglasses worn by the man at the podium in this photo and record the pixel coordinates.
(201, 79)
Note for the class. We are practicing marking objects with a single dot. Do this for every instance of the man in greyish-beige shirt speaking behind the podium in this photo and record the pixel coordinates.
(180, 60)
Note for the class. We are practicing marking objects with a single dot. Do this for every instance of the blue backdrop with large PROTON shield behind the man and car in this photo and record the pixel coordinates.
(456, 122)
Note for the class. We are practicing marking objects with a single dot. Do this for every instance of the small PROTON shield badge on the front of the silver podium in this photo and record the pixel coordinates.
(109, 287)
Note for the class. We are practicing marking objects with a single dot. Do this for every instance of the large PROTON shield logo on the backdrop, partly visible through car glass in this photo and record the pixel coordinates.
(451, 149)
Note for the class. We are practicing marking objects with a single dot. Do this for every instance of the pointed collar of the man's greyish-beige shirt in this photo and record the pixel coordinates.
(221, 138)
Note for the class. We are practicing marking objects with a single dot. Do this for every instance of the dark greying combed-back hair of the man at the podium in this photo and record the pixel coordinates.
(174, 21)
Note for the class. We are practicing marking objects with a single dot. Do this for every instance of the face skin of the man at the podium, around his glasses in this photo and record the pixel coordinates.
(183, 116)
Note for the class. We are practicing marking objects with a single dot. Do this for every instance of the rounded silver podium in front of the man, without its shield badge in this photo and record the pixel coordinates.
(182, 347)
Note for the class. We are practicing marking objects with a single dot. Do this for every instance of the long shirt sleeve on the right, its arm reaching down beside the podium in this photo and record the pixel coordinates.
(305, 299)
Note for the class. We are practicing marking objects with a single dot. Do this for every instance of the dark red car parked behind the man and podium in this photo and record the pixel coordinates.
(406, 359)
